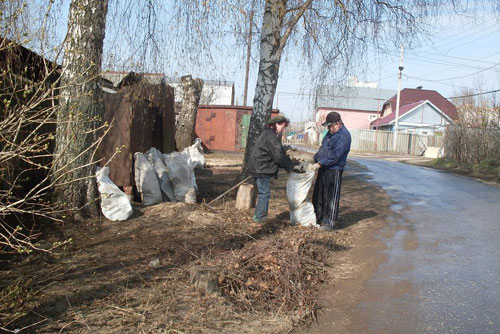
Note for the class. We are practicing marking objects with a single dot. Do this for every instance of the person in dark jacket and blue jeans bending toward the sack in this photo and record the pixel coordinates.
(266, 158)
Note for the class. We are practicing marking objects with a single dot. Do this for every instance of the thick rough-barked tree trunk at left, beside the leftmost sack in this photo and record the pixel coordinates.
(81, 108)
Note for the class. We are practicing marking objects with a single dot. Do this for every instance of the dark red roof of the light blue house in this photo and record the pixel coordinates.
(412, 95)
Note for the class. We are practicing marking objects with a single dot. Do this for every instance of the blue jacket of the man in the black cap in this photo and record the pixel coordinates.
(334, 149)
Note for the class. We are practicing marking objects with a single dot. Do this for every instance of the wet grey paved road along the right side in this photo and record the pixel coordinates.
(441, 267)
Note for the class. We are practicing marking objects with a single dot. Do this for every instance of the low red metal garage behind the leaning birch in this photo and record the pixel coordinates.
(224, 128)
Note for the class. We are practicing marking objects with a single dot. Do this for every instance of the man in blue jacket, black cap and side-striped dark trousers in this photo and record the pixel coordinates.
(331, 160)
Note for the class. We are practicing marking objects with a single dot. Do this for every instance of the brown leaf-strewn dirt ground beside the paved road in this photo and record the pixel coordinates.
(183, 268)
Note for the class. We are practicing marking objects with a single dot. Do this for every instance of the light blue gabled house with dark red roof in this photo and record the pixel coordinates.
(420, 111)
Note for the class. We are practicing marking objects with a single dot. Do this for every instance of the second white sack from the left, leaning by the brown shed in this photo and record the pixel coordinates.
(146, 181)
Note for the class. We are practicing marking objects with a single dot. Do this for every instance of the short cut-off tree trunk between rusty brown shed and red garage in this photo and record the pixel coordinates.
(191, 93)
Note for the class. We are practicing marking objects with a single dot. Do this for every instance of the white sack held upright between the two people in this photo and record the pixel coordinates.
(297, 188)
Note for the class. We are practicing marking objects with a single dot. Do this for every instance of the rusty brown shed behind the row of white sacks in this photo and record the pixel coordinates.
(142, 116)
